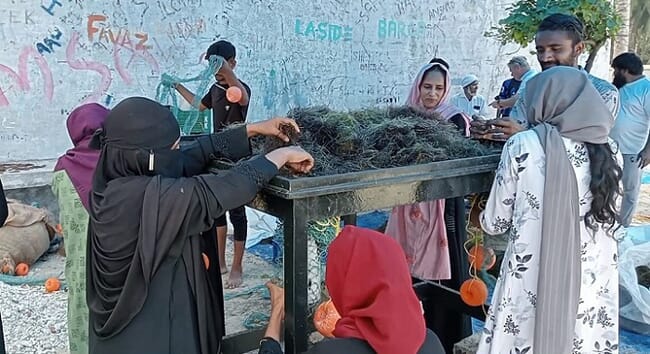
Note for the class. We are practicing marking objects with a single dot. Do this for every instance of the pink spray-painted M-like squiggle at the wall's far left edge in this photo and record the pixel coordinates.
(22, 77)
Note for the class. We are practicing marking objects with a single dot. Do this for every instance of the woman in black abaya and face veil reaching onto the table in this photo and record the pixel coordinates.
(148, 288)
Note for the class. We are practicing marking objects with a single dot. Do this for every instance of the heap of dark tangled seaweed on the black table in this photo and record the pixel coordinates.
(367, 139)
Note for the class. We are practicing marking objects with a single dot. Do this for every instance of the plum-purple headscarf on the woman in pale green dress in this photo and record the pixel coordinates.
(80, 161)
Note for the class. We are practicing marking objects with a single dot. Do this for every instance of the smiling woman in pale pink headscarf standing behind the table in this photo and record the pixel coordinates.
(432, 233)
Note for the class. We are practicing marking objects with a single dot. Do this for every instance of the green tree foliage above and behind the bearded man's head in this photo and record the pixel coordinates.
(599, 17)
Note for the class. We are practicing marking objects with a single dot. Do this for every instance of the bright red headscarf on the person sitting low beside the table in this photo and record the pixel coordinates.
(369, 282)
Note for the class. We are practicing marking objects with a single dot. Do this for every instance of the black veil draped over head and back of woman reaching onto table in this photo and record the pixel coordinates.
(126, 249)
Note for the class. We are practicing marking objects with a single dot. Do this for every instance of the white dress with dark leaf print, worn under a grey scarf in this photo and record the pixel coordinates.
(515, 206)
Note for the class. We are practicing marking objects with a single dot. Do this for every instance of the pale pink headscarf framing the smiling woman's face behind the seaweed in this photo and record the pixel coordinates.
(444, 108)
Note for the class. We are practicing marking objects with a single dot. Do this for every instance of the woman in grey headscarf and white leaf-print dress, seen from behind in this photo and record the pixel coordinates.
(524, 193)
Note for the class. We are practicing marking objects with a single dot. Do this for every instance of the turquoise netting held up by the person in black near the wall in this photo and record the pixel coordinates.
(165, 91)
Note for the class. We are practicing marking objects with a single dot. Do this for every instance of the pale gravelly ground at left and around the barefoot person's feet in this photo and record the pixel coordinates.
(35, 322)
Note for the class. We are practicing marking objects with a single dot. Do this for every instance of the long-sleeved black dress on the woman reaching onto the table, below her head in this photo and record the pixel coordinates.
(152, 226)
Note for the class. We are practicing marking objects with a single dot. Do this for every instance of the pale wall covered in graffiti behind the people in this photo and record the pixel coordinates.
(57, 54)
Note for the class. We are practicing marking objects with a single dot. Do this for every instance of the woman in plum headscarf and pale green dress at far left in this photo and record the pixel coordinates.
(71, 185)
